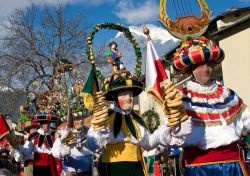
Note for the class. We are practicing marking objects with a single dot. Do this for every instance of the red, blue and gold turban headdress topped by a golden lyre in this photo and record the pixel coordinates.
(189, 29)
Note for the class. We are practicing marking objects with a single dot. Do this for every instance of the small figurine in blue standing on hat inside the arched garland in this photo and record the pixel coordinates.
(113, 56)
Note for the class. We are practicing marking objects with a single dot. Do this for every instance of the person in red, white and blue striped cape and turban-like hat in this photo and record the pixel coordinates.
(218, 114)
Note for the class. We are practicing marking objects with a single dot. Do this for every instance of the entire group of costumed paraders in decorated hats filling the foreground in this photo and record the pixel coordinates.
(205, 130)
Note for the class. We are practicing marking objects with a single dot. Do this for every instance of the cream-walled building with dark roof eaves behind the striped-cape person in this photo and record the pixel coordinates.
(232, 31)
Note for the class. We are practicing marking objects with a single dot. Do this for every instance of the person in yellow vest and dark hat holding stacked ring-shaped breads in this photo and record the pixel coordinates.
(120, 133)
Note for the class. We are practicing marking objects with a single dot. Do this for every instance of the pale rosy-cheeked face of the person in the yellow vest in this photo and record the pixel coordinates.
(126, 100)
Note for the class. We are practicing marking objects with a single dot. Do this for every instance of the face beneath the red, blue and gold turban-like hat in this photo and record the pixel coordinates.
(203, 72)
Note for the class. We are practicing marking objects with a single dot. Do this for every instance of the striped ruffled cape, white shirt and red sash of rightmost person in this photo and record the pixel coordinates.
(219, 116)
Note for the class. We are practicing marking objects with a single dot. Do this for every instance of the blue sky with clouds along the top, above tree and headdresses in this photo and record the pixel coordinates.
(127, 12)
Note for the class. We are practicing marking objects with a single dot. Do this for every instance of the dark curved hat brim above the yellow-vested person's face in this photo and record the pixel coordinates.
(110, 95)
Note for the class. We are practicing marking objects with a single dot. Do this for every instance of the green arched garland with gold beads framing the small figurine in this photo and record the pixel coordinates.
(128, 35)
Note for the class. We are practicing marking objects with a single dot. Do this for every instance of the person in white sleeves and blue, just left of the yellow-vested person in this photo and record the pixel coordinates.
(77, 160)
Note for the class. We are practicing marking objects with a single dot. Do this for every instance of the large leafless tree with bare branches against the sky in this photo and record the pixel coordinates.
(36, 39)
